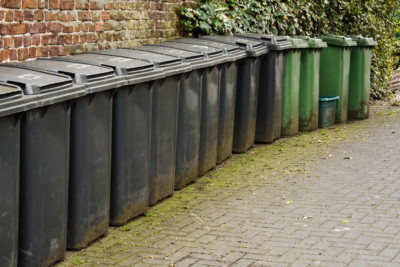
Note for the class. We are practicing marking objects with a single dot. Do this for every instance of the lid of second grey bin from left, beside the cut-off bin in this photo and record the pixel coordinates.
(48, 87)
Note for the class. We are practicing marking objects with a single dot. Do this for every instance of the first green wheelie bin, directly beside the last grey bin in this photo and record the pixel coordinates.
(291, 88)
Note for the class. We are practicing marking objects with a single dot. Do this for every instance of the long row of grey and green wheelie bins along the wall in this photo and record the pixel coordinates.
(92, 140)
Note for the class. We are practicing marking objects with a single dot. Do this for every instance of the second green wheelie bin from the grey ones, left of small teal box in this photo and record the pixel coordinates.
(309, 85)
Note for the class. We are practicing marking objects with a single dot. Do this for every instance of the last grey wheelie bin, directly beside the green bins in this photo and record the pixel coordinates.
(269, 107)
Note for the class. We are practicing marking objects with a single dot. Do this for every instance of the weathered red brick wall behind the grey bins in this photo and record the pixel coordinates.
(42, 28)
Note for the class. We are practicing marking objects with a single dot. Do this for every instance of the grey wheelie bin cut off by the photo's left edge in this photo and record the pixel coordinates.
(12, 106)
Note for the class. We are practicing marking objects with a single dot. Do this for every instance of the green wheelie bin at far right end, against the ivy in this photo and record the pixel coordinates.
(359, 86)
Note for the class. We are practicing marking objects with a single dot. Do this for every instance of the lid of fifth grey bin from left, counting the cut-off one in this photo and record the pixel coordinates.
(170, 64)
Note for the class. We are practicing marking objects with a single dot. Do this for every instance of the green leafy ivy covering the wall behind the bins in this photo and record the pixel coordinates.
(372, 18)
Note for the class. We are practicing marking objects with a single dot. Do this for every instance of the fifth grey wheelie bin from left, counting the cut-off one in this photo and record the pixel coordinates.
(165, 100)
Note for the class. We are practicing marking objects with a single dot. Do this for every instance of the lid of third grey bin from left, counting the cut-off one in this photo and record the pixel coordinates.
(95, 78)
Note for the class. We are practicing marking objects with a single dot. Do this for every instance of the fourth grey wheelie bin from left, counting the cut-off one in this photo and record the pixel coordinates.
(131, 129)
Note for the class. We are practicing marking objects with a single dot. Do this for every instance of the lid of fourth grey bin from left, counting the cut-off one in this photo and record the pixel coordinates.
(133, 70)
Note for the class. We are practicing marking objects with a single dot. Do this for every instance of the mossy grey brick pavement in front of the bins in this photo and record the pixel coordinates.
(327, 198)
